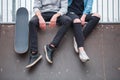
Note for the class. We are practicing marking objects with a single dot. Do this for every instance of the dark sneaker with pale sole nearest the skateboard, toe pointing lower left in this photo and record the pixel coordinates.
(33, 60)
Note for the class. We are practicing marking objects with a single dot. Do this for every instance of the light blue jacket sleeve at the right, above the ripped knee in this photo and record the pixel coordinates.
(87, 6)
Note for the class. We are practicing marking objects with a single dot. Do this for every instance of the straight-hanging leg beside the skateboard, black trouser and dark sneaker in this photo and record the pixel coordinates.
(34, 57)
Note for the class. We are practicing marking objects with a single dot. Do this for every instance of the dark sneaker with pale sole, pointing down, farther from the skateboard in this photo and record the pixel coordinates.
(49, 53)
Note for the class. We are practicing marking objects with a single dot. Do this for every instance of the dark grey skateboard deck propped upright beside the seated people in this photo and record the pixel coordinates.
(21, 31)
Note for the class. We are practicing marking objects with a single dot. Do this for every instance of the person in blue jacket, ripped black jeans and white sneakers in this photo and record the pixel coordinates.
(80, 13)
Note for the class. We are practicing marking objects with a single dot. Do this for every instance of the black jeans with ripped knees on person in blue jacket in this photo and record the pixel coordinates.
(80, 33)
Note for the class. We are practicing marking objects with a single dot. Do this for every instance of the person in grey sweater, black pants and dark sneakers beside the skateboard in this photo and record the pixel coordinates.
(47, 10)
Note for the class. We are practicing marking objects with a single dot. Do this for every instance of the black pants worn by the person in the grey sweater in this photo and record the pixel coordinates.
(64, 22)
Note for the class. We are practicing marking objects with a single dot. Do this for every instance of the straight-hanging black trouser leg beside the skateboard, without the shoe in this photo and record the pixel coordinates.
(33, 27)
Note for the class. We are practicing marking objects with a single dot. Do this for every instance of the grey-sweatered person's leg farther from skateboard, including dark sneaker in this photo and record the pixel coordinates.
(65, 22)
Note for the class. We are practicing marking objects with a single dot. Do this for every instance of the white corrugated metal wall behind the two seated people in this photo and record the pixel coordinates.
(108, 9)
